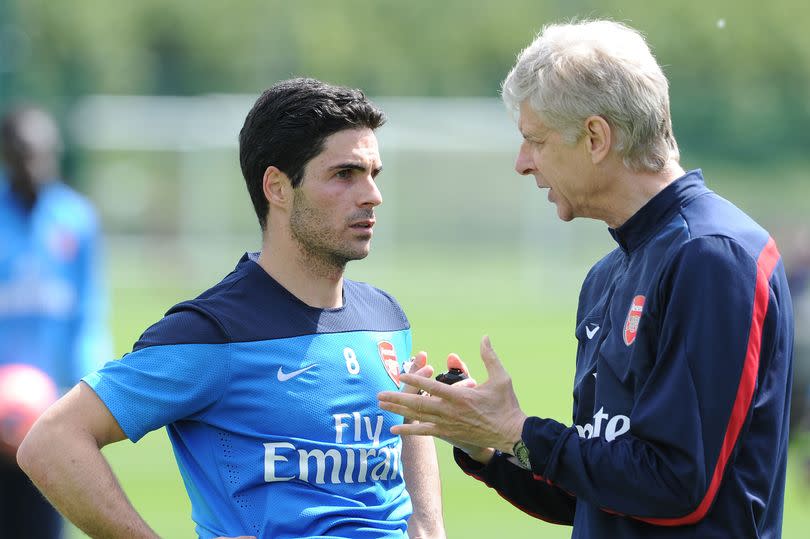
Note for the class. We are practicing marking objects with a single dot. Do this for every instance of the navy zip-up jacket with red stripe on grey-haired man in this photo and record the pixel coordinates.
(682, 385)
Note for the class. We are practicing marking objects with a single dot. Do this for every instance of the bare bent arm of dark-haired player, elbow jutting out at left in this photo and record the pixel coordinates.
(62, 456)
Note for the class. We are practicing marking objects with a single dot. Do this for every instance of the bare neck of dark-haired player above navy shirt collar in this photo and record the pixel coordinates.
(313, 280)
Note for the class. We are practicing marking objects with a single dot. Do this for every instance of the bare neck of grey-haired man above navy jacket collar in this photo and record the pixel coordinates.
(630, 191)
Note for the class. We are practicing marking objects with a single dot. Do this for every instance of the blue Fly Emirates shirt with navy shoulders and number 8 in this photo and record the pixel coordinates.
(271, 407)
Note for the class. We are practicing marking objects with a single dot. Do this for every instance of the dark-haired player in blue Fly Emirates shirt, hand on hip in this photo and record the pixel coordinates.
(267, 382)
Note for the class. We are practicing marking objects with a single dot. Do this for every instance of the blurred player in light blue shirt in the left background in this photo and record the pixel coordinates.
(52, 295)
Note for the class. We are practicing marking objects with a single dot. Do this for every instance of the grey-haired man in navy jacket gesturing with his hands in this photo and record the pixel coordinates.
(684, 331)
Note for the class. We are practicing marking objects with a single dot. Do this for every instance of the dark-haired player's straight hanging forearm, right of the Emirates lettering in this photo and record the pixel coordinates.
(421, 471)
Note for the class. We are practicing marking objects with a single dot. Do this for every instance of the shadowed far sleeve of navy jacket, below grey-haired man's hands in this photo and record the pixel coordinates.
(521, 488)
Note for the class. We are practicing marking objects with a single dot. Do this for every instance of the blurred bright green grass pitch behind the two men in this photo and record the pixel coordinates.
(527, 306)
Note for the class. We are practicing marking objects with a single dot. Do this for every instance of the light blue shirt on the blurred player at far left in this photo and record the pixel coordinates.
(53, 302)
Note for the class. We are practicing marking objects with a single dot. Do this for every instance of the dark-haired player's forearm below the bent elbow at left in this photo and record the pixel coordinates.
(69, 469)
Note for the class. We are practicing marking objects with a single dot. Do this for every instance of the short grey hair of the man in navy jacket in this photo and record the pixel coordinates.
(597, 68)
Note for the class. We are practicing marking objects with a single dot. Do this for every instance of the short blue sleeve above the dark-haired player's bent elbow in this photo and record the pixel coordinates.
(164, 381)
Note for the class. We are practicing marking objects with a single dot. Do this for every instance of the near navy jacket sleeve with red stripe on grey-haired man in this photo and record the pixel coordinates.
(714, 308)
